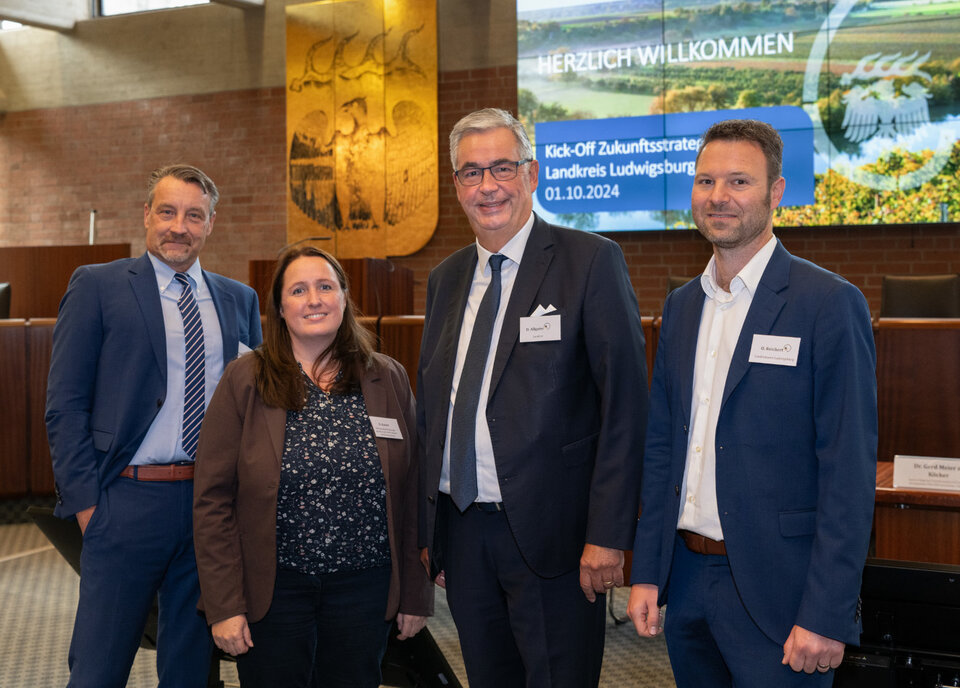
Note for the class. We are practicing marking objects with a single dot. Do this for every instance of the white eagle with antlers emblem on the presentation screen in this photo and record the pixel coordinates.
(877, 107)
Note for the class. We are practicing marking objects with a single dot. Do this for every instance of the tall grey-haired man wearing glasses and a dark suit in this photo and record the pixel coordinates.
(529, 495)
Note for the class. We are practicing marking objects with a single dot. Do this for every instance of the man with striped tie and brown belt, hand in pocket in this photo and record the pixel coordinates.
(127, 348)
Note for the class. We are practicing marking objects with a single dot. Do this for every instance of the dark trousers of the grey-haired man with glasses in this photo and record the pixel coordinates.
(516, 629)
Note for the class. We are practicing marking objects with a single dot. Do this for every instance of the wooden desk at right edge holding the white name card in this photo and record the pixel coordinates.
(915, 525)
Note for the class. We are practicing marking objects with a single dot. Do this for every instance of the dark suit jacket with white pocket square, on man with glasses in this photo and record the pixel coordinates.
(566, 417)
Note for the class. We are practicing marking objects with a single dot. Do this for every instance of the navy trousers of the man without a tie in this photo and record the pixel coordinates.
(711, 639)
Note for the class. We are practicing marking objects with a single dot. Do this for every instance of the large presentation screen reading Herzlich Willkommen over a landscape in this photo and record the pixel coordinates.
(865, 94)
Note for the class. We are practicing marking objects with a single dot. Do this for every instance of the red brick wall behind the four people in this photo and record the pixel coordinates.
(56, 164)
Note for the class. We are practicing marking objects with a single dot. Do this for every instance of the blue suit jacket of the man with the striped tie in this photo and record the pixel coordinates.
(108, 369)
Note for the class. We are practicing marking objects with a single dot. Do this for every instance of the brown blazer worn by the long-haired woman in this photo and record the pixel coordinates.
(235, 493)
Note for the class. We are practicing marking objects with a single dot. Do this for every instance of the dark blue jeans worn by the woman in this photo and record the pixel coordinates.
(326, 630)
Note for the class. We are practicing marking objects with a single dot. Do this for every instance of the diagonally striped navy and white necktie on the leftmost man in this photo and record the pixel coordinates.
(193, 373)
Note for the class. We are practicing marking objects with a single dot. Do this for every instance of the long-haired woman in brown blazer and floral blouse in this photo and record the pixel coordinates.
(305, 522)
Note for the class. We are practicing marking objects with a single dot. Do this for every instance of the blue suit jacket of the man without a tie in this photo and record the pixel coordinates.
(796, 451)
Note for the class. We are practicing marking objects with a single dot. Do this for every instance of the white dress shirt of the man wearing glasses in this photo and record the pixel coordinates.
(488, 488)
